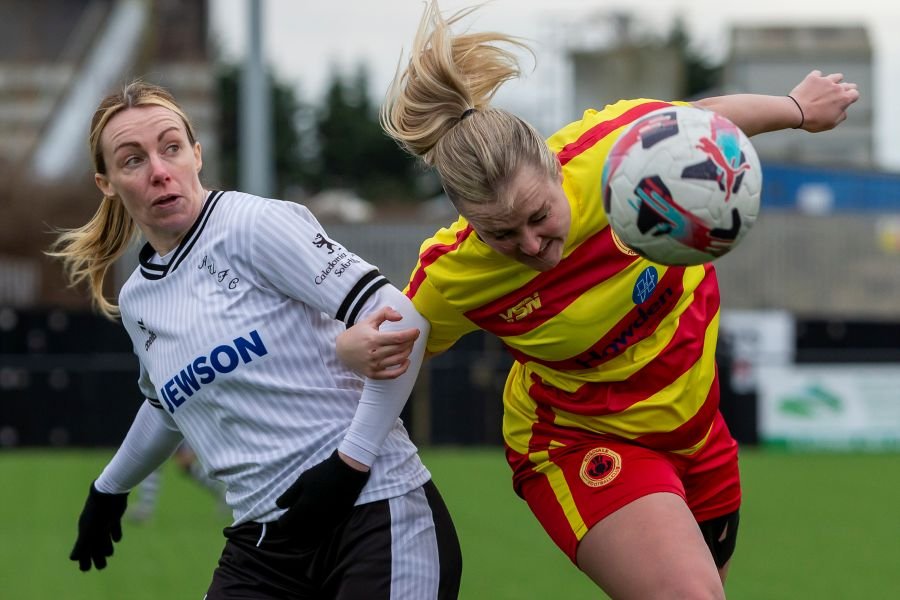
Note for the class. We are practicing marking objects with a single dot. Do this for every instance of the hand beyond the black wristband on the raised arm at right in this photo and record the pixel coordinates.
(824, 100)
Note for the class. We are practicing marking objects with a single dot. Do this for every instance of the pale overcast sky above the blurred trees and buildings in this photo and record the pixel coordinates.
(305, 40)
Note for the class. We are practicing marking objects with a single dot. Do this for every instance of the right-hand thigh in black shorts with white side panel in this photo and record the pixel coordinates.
(405, 547)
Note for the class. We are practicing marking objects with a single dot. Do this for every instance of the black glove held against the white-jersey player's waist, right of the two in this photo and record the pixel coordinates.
(320, 499)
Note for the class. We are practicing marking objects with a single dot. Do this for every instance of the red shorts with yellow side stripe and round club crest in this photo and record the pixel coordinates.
(580, 484)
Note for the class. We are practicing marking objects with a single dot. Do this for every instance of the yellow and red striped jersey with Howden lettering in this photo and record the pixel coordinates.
(605, 342)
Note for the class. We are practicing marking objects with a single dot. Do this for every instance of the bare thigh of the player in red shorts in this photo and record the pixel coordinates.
(651, 548)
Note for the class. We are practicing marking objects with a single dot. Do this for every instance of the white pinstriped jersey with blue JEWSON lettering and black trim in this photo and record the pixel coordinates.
(235, 332)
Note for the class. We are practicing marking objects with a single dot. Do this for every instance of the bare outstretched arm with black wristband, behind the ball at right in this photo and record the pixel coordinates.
(820, 103)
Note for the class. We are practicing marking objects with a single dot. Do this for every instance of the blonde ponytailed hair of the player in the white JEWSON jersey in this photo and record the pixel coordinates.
(89, 251)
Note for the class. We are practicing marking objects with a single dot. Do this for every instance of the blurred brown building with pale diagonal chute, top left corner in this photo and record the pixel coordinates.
(59, 57)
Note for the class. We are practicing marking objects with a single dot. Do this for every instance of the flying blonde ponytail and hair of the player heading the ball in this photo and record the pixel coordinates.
(427, 110)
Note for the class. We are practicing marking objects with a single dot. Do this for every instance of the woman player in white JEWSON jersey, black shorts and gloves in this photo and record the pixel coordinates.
(233, 312)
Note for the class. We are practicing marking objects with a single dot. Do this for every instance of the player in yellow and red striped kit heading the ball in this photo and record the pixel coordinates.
(611, 420)
